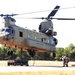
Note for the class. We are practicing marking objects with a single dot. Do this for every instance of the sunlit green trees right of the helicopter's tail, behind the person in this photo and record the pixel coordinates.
(69, 51)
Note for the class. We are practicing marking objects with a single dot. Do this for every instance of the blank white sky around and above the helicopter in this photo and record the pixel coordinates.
(65, 29)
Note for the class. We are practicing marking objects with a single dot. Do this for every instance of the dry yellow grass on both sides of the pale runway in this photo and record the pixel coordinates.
(41, 63)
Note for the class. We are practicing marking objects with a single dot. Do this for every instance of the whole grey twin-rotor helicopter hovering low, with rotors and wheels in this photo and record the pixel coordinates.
(13, 36)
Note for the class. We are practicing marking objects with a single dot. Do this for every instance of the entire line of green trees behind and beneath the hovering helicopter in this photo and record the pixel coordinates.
(69, 51)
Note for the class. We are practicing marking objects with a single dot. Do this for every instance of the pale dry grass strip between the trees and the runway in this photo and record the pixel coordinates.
(41, 63)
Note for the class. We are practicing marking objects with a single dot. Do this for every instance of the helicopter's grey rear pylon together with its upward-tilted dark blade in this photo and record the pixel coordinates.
(47, 24)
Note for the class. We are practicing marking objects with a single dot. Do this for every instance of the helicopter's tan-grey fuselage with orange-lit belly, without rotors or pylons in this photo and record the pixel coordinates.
(26, 39)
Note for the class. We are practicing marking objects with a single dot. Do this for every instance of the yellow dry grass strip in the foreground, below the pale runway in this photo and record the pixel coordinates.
(40, 73)
